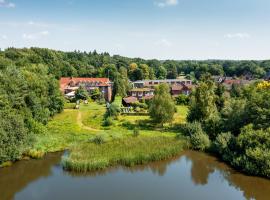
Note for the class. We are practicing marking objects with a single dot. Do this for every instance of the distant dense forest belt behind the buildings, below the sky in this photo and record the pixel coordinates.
(93, 64)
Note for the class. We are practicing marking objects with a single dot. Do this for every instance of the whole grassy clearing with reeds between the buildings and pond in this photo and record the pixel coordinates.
(73, 129)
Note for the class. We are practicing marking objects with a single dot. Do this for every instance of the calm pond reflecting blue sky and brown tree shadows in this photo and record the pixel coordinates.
(190, 176)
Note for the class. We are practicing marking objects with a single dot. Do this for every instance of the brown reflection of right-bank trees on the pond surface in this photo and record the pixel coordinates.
(203, 165)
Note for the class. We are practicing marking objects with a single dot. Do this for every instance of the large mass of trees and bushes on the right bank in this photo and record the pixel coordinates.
(234, 125)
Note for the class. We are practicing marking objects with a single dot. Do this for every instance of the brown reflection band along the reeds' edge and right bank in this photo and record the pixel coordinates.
(202, 166)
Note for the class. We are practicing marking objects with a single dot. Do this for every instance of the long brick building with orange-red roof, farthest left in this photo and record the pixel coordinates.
(68, 85)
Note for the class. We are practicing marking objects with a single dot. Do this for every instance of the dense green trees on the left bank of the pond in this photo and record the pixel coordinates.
(29, 97)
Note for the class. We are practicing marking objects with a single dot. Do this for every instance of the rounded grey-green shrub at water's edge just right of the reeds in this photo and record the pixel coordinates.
(200, 141)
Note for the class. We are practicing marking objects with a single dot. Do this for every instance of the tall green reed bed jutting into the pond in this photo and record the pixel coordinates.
(127, 152)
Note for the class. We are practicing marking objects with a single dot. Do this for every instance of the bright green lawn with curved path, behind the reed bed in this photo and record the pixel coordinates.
(78, 126)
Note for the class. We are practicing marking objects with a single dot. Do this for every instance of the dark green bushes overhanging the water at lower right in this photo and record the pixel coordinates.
(248, 152)
